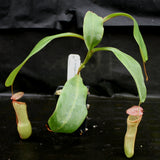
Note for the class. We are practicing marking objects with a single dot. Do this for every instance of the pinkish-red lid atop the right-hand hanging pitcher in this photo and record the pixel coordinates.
(135, 111)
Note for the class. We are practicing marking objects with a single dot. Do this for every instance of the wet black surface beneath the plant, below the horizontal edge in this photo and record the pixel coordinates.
(102, 141)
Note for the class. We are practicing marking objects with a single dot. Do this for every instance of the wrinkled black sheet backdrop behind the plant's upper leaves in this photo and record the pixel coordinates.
(24, 23)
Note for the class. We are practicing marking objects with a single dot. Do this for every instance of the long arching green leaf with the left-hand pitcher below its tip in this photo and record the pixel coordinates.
(40, 45)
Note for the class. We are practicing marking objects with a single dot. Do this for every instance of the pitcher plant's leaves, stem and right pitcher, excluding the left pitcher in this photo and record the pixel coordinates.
(71, 111)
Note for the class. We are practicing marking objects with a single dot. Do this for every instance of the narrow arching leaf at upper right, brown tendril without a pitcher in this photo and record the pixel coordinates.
(136, 33)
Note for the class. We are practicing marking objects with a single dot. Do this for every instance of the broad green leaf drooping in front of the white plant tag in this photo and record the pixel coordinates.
(71, 108)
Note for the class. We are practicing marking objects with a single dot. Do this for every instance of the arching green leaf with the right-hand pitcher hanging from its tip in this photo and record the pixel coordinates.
(132, 66)
